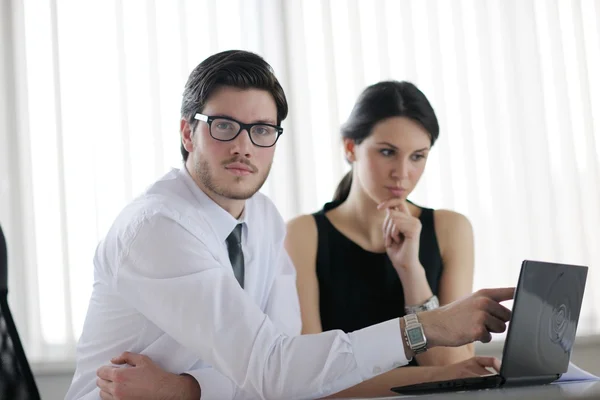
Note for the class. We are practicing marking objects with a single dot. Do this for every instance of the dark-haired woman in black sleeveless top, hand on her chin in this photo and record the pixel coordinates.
(371, 255)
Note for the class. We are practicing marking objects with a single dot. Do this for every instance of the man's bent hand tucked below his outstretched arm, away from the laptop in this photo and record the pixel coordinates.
(143, 380)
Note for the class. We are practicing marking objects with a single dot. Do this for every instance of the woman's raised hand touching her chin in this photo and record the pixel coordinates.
(402, 234)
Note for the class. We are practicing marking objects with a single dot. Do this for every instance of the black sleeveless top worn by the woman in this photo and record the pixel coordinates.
(358, 288)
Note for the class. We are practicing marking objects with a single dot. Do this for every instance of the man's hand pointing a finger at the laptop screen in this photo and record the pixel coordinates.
(470, 319)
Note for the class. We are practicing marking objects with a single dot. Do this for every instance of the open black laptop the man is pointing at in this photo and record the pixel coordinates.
(540, 334)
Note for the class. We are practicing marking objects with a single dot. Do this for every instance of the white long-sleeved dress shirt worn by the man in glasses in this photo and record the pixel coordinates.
(164, 287)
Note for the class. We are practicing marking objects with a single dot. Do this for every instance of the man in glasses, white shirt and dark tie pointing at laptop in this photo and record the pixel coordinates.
(194, 276)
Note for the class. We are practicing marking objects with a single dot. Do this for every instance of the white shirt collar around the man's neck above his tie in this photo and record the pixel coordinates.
(220, 220)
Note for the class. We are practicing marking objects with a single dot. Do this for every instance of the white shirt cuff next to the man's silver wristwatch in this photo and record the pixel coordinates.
(378, 348)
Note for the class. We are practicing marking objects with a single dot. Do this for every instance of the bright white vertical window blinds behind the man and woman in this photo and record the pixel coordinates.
(90, 106)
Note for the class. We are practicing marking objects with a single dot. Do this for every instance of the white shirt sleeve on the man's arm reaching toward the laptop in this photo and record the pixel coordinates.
(172, 278)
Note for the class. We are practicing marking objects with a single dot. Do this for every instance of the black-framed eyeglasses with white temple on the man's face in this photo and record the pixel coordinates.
(226, 129)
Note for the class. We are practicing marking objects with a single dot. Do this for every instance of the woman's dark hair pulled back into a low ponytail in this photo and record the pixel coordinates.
(381, 101)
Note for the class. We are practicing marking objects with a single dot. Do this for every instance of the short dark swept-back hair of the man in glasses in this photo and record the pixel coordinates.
(235, 68)
